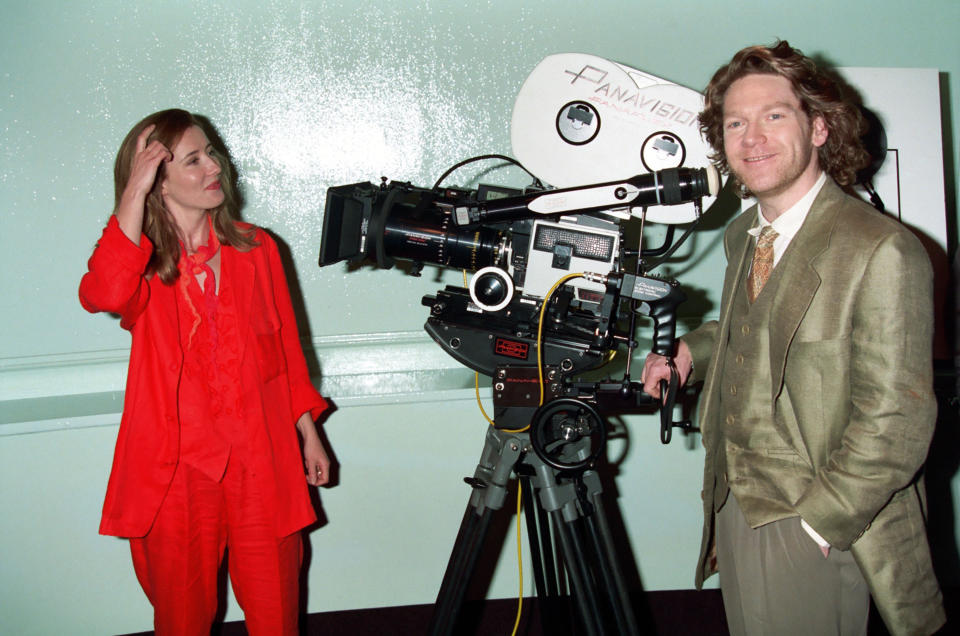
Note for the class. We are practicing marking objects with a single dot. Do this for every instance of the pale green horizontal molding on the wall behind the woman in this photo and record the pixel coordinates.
(85, 389)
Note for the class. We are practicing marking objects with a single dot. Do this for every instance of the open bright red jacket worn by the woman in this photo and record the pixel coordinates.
(276, 386)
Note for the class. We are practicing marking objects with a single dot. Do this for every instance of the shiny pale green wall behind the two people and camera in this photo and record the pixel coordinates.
(309, 95)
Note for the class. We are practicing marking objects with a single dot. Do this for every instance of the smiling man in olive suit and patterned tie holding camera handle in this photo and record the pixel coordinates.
(818, 407)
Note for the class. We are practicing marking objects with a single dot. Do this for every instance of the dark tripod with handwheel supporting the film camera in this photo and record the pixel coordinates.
(553, 459)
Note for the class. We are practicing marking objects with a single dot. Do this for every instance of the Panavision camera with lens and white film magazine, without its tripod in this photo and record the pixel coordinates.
(513, 322)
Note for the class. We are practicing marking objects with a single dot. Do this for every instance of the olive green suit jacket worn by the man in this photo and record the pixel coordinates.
(850, 334)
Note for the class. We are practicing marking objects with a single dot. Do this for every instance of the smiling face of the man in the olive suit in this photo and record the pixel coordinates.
(770, 143)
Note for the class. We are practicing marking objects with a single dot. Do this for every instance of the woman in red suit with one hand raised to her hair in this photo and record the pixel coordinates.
(208, 455)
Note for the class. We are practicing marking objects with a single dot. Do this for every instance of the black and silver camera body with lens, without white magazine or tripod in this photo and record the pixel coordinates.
(549, 297)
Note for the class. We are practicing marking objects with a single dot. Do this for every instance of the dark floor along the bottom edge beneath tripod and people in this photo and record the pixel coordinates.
(669, 613)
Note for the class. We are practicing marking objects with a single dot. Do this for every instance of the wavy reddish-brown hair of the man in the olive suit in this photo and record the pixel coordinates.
(820, 94)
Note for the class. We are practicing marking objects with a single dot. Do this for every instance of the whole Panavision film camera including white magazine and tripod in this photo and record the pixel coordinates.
(555, 290)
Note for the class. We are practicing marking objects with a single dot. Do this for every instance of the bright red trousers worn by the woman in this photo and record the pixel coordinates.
(178, 561)
